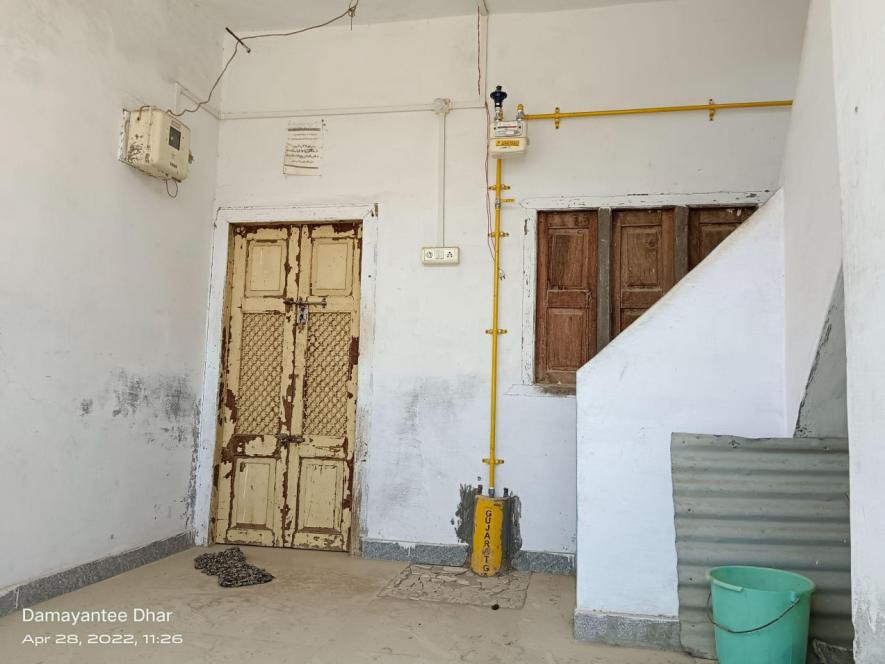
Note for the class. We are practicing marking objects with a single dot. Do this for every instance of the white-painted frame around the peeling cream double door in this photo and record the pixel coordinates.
(202, 491)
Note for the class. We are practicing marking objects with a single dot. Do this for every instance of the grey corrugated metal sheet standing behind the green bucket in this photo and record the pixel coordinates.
(770, 502)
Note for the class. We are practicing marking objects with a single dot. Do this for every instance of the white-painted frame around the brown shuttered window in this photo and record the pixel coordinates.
(531, 208)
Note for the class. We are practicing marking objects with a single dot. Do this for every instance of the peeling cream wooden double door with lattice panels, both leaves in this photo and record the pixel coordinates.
(288, 413)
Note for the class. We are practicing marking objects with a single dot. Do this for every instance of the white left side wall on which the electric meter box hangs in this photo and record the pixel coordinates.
(102, 282)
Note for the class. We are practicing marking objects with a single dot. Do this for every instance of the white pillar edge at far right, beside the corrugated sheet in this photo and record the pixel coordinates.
(859, 63)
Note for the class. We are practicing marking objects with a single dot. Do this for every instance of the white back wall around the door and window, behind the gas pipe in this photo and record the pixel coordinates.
(430, 358)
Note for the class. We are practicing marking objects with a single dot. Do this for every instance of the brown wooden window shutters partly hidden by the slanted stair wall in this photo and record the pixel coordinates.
(600, 270)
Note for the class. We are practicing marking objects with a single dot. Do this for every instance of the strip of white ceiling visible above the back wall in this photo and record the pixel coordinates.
(276, 14)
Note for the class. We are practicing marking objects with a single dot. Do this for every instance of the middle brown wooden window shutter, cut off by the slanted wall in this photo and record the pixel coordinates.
(643, 249)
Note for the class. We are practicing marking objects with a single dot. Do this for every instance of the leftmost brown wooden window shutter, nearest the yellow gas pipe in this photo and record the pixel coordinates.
(566, 313)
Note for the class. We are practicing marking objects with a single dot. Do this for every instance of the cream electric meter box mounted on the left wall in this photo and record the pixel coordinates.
(156, 142)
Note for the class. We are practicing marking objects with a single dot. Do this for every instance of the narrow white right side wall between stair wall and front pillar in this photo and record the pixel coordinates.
(813, 219)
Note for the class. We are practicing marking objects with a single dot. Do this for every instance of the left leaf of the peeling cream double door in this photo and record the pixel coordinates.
(257, 383)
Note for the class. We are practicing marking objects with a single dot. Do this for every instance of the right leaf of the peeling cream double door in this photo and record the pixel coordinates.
(327, 358)
